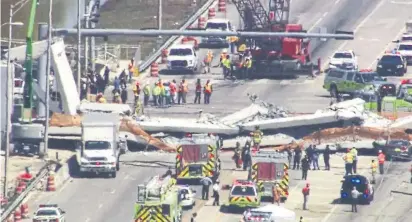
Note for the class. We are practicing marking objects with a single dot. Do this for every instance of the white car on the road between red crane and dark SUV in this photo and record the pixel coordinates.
(343, 59)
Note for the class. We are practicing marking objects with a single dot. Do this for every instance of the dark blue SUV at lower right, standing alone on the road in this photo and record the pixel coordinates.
(361, 183)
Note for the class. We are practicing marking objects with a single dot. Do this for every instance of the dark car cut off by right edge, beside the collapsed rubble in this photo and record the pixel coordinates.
(398, 149)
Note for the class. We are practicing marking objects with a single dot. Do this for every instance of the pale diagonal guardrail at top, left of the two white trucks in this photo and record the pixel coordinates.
(146, 64)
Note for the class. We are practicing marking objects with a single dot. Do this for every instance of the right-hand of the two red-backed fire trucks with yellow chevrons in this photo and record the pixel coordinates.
(268, 169)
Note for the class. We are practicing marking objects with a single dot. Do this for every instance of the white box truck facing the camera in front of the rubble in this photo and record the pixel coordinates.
(100, 148)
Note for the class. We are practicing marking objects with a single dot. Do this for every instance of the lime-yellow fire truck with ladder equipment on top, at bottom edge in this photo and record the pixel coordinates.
(158, 200)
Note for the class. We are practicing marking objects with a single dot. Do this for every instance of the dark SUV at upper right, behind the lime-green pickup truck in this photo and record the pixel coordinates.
(391, 65)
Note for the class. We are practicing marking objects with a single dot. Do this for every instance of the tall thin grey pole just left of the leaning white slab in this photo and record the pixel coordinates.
(48, 70)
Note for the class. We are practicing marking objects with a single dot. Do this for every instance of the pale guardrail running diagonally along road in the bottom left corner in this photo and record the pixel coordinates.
(16, 200)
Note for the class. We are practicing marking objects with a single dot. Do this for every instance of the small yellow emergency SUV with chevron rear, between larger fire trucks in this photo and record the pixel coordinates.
(244, 194)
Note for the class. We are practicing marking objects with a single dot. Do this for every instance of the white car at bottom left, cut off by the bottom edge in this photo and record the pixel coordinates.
(49, 213)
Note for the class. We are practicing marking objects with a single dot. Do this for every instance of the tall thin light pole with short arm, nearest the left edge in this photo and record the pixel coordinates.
(9, 98)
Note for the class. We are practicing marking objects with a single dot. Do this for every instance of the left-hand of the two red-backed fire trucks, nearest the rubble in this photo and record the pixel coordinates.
(197, 157)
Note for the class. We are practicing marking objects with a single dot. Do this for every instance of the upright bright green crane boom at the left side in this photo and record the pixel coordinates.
(28, 65)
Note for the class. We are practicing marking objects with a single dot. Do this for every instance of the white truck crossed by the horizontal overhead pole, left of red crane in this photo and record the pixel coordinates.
(213, 25)
